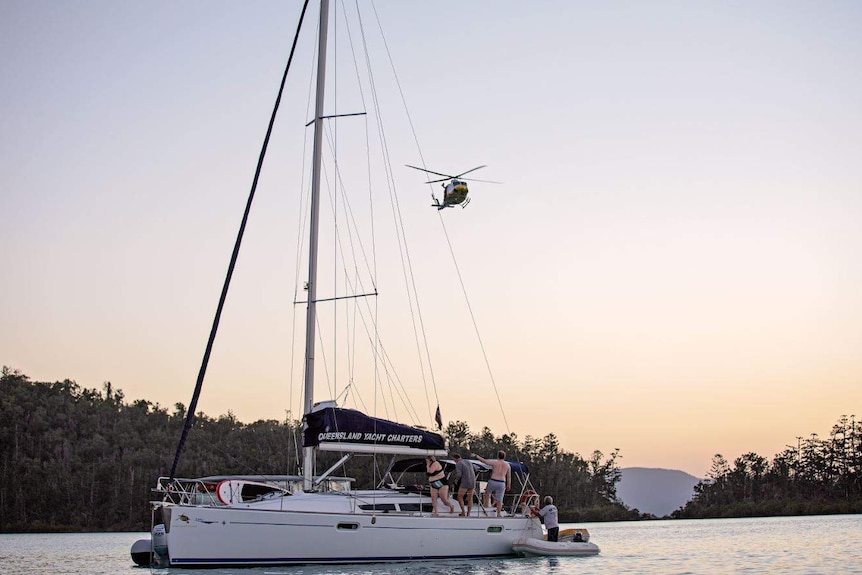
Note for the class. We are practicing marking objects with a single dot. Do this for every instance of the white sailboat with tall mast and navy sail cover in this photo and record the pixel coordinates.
(234, 520)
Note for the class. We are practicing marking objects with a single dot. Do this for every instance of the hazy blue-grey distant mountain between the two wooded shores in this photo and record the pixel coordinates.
(656, 491)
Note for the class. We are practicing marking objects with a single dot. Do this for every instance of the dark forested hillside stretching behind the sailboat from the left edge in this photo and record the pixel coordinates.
(79, 459)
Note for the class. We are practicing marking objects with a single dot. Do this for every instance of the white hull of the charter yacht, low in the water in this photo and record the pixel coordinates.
(289, 531)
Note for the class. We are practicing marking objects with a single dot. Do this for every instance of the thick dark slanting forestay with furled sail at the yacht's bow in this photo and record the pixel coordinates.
(190, 417)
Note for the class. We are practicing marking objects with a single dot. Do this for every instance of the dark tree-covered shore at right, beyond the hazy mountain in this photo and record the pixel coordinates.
(817, 476)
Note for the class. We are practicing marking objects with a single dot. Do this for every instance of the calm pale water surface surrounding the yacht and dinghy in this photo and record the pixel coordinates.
(824, 544)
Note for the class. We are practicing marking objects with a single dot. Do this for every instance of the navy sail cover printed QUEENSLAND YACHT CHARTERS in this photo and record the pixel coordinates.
(338, 429)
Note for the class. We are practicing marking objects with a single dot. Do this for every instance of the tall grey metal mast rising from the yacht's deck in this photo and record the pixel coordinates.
(311, 315)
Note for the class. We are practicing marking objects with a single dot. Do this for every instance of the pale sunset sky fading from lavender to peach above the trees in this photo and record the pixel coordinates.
(671, 265)
